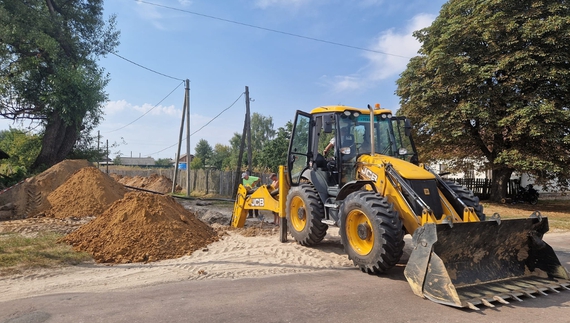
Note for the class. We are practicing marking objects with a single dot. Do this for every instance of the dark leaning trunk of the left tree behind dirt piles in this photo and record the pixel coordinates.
(57, 142)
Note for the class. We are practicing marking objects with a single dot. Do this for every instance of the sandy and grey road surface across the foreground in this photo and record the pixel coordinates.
(255, 279)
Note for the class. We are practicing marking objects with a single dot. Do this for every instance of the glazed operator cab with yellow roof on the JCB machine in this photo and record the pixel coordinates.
(313, 132)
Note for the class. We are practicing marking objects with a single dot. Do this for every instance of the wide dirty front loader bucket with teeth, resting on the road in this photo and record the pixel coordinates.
(474, 263)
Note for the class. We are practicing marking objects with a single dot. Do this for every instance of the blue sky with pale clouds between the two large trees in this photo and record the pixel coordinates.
(284, 73)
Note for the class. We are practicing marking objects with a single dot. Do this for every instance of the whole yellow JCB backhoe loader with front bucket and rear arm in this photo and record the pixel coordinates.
(375, 191)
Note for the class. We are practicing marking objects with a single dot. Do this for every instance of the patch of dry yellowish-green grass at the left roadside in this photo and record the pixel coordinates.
(19, 253)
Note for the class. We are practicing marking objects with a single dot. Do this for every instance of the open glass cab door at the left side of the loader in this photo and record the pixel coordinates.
(298, 155)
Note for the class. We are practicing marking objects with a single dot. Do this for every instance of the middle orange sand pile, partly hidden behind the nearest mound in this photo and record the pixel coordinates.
(88, 192)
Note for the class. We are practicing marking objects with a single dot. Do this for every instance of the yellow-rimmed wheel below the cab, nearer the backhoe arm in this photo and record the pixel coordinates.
(305, 212)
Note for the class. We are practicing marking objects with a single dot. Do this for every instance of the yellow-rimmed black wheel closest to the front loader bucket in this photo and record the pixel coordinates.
(371, 232)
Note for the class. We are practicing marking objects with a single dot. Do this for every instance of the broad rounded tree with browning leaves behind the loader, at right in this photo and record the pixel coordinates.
(492, 83)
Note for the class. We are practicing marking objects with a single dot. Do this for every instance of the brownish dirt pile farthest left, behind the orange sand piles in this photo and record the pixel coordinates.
(29, 198)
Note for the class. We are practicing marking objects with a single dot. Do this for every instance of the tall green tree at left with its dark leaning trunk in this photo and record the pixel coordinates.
(48, 70)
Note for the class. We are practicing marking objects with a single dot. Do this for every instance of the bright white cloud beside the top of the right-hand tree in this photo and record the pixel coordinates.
(398, 47)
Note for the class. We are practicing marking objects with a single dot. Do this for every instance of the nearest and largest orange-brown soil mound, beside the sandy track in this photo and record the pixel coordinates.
(142, 227)
